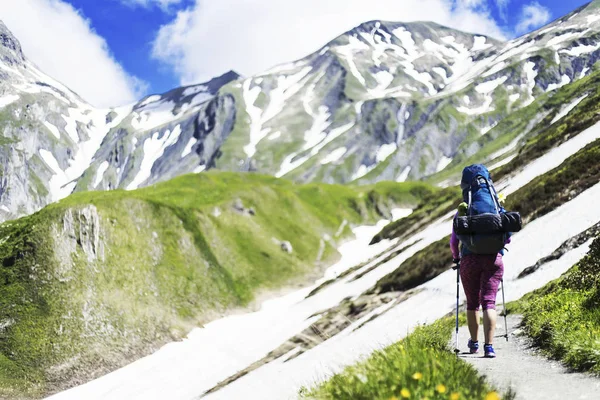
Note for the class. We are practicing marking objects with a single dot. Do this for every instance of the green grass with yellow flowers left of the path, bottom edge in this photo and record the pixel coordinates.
(420, 366)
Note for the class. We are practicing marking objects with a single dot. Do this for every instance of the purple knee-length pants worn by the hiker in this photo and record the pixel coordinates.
(481, 276)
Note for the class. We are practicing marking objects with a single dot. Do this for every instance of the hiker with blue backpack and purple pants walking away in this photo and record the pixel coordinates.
(481, 274)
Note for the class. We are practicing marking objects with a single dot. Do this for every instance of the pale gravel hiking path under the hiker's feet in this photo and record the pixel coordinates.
(531, 375)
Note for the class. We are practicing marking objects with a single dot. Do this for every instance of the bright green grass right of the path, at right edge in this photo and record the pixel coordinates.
(563, 318)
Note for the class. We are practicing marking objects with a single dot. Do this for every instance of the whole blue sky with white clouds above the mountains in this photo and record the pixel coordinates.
(112, 52)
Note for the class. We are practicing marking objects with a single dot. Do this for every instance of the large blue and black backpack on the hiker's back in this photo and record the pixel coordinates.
(479, 193)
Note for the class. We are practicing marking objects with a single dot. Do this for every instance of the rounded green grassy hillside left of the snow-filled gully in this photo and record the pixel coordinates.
(99, 279)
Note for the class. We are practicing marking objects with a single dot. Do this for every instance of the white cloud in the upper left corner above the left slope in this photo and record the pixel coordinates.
(62, 43)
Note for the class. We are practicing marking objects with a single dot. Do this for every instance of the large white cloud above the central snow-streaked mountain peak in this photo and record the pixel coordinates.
(212, 37)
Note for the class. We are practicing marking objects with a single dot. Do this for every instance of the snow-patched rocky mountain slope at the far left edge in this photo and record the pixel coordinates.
(49, 135)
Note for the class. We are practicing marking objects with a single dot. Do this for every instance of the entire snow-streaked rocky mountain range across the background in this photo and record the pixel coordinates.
(384, 101)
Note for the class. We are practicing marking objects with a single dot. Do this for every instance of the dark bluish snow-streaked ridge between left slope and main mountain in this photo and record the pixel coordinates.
(165, 136)
